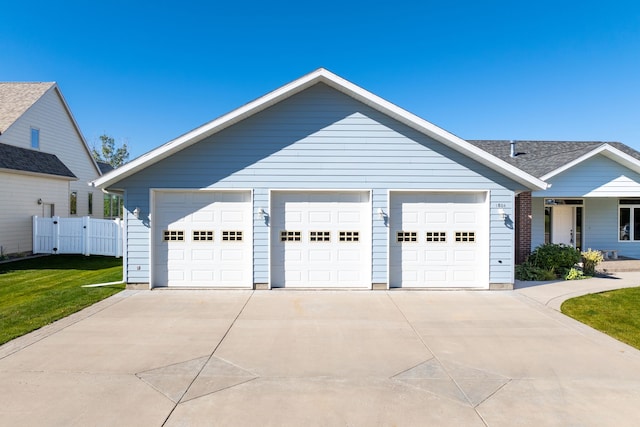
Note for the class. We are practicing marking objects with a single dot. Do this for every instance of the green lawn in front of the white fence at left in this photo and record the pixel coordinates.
(38, 291)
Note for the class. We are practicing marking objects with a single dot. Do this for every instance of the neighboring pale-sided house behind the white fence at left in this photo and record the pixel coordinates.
(45, 163)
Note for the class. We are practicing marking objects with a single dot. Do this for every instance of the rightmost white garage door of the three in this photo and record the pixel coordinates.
(438, 240)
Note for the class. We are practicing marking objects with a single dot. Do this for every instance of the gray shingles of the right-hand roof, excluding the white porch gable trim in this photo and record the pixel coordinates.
(538, 158)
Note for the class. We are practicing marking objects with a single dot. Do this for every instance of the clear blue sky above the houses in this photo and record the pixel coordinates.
(146, 72)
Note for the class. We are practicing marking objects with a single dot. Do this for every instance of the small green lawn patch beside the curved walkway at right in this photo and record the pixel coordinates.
(616, 313)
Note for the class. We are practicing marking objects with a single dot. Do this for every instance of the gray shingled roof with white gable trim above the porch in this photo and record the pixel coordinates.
(545, 159)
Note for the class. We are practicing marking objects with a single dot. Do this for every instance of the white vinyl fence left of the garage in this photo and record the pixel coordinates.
(86, 235)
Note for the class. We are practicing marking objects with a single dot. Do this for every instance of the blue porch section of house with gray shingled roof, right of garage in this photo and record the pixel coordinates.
(593, 199)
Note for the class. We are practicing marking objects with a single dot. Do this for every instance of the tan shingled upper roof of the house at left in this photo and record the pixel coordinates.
(16, 98)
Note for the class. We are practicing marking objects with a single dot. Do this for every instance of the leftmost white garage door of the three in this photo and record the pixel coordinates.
(202, 239)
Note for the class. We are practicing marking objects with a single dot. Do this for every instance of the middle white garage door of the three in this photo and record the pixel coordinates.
(321, 240)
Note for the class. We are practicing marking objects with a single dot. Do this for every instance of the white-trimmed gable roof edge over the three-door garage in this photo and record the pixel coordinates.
(320, 75)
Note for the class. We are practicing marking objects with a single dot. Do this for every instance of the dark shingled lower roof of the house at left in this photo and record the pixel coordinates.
(25, 160)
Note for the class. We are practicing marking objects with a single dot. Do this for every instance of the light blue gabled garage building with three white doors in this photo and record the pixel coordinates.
(319, 184)
